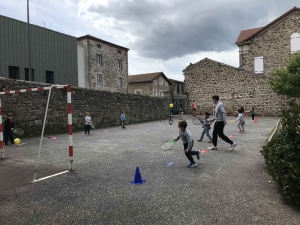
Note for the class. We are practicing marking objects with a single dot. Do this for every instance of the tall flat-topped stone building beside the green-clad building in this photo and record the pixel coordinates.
(102, 65)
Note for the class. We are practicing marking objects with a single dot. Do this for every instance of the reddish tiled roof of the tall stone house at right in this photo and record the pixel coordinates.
(245, 36)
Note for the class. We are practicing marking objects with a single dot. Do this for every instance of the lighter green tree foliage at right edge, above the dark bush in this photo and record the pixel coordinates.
(286, 81)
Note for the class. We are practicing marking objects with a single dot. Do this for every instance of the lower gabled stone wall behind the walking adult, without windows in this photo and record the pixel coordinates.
(207, 78)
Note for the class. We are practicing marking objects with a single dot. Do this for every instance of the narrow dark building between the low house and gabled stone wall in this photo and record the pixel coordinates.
(178, 95)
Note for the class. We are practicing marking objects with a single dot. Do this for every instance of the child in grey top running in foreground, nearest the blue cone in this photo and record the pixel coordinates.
(188, 143)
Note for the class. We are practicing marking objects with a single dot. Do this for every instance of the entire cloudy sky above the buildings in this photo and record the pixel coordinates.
(162, 35)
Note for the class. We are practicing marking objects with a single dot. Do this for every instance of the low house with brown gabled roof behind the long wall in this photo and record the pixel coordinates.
(153, 84)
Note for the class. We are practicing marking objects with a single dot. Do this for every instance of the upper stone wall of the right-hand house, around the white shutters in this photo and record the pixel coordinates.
(273, 44)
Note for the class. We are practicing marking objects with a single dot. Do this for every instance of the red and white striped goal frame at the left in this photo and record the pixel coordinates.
(69, 108)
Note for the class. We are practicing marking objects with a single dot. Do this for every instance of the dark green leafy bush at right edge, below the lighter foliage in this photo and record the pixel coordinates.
(282, 153)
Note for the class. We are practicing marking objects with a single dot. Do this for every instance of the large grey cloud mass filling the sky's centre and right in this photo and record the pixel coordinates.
(178, 28)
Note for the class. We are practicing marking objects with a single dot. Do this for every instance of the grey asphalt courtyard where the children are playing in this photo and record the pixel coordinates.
(226, 187)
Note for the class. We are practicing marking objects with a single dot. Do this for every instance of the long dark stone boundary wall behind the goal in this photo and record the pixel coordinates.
(106, 107)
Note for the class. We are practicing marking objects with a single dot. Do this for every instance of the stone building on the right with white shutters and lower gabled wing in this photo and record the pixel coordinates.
(262, 50)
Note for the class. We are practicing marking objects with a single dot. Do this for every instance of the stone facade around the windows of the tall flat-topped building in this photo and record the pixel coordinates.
(109, 67)
